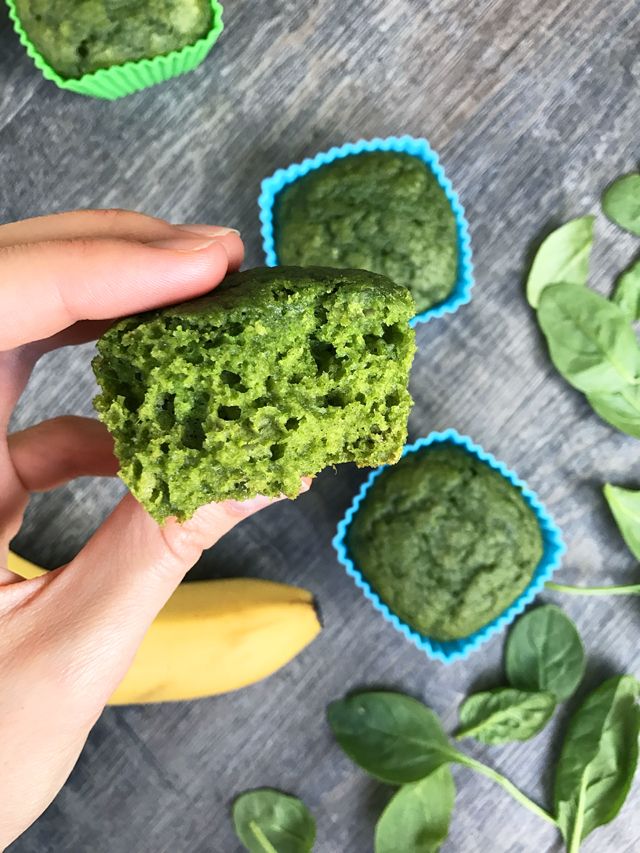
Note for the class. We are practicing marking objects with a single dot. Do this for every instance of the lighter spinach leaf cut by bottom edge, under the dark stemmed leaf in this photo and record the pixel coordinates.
(417, 818)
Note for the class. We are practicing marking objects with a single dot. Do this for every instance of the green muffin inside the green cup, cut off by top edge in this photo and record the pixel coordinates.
(77, 37)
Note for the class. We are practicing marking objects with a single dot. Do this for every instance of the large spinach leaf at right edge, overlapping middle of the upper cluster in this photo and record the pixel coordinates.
(590, 339)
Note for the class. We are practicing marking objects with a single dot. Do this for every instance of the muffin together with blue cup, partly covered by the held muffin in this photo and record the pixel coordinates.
(384, 205)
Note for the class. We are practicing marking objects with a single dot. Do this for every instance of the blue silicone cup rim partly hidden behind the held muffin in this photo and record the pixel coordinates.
(461, 293)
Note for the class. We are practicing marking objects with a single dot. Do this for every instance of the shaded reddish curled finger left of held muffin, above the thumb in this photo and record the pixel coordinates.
(56, 451)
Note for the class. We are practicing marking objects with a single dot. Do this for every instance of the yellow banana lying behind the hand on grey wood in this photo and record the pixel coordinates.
(212, 637)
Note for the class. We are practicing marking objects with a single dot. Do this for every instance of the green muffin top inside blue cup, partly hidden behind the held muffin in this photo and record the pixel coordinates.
(382, 211)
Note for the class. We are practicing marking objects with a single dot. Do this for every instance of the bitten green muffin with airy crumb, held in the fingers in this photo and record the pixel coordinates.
(275, 375)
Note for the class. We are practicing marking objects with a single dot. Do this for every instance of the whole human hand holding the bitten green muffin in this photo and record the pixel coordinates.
(68, 638)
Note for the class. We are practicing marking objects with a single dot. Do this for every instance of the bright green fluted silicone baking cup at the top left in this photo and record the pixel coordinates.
(120, 80)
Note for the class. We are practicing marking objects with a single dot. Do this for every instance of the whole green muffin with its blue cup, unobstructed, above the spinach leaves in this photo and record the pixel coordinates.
(449, 545)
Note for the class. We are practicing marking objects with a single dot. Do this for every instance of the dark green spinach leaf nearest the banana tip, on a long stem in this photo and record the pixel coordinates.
(392, 736)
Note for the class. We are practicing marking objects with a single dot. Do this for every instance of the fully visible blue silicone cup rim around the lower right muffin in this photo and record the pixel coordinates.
(452, 650)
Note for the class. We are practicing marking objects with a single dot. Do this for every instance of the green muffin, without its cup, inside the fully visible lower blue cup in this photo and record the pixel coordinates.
(446, 541)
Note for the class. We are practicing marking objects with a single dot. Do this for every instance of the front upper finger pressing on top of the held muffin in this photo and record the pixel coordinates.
(48, 287)
